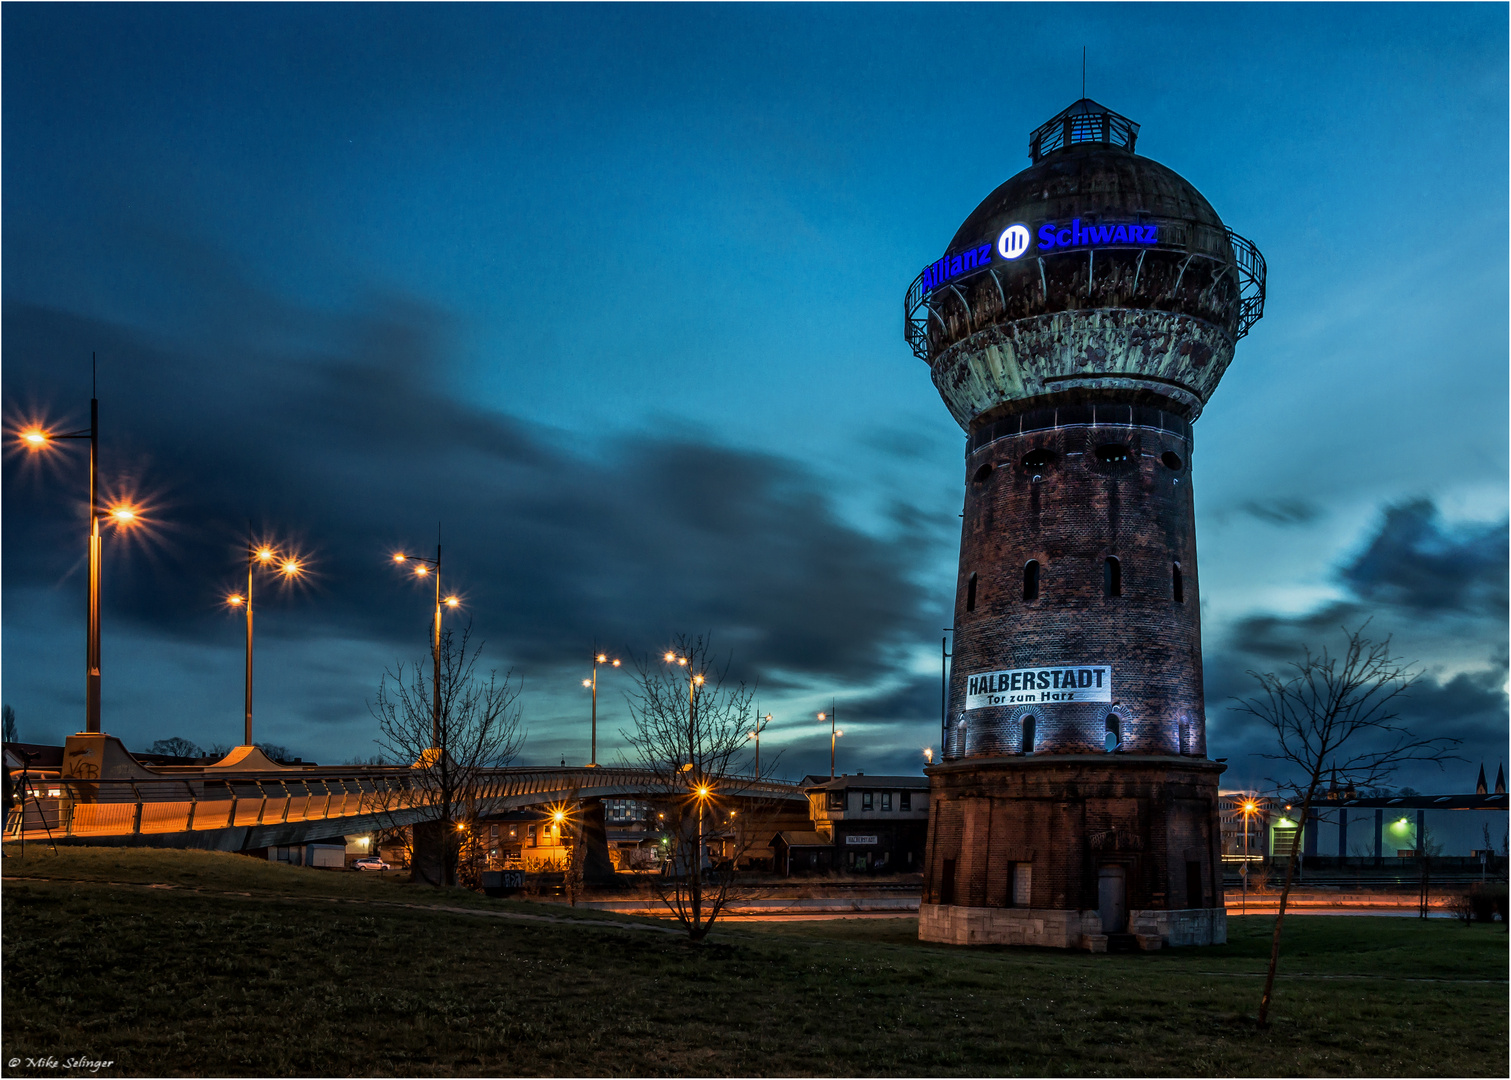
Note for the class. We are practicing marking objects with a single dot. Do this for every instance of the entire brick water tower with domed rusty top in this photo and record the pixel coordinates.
(1078, 324)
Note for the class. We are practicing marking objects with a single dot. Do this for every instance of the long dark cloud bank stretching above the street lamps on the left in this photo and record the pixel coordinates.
(336, 431)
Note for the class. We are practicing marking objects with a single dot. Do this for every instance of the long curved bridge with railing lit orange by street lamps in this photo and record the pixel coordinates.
(247, 801)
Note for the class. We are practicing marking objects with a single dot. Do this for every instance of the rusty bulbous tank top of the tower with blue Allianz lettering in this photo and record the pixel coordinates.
(1096, 273)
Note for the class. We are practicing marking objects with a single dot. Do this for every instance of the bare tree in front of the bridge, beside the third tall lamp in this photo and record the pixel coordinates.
(478, 729)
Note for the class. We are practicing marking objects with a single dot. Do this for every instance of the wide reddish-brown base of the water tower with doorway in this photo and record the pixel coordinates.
(1072, 851)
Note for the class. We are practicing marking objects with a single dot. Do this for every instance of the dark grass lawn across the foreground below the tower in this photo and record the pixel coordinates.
(247, 969)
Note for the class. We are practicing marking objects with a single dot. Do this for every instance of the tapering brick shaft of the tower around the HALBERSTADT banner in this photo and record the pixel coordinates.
(1071, 516)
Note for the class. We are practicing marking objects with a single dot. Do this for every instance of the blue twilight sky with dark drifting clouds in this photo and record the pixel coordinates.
(614, 292)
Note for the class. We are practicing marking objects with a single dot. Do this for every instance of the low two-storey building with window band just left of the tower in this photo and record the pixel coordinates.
(873, 824)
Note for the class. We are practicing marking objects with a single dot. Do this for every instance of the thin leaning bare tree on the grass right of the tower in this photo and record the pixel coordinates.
(1336, 714)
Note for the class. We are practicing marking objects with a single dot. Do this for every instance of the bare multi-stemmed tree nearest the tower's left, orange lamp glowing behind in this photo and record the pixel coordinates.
(691, 727)
